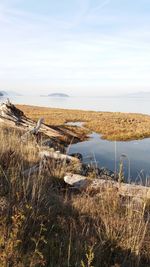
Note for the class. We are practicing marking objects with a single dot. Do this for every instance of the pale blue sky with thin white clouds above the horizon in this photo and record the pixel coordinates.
(92, 47)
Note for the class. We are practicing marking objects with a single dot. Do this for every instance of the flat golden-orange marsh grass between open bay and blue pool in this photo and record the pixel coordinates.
(112, 125)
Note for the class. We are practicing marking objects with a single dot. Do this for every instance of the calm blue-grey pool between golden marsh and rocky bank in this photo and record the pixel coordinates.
(134, 154)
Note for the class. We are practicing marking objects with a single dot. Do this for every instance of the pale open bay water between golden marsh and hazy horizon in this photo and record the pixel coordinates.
(140, 105)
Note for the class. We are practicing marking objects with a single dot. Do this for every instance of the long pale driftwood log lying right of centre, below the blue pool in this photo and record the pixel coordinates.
(98, 185)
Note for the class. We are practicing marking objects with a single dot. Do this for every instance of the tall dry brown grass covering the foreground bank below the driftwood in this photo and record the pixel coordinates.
(44, 224)
